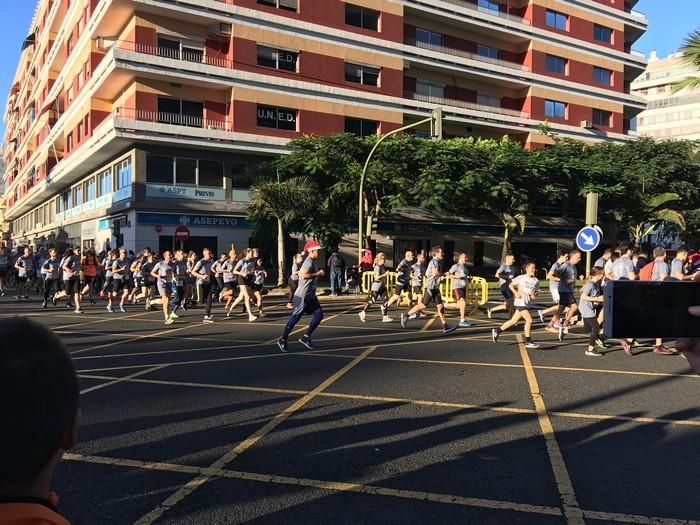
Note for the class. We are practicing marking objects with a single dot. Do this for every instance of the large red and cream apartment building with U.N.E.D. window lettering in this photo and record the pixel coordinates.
(138, 118)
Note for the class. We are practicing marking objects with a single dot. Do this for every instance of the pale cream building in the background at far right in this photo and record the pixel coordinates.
(668, 115)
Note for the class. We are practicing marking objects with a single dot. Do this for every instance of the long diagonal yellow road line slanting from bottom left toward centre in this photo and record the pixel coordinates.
(251, 440)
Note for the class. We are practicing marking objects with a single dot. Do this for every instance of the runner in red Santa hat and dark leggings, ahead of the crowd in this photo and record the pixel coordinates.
(305, 300)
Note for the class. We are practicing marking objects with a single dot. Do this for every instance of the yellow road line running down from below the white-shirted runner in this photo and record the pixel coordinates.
(572, 511)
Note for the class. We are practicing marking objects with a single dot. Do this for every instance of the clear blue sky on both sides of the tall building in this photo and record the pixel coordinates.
(669, 23)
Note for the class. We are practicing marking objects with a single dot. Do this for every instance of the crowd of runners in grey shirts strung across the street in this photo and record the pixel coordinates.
(177, 280)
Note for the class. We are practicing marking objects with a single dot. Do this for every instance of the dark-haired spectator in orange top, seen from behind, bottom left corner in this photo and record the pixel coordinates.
(39, 396)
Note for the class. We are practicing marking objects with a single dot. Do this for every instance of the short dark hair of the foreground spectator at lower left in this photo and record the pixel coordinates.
(38, 398)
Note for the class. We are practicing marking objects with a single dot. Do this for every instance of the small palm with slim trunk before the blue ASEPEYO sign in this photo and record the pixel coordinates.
(285, 201)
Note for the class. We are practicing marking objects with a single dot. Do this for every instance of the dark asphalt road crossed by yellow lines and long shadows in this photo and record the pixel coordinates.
(210, 424)
